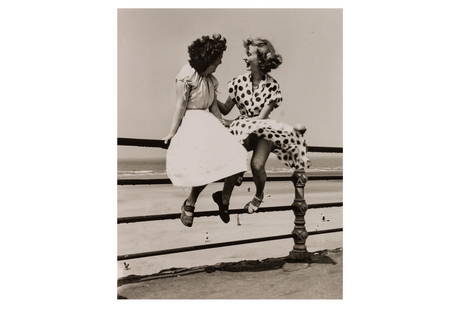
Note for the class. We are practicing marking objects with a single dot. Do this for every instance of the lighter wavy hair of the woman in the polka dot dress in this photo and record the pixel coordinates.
(266, 54)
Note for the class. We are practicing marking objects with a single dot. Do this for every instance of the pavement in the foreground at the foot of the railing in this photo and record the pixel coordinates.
(273, 278)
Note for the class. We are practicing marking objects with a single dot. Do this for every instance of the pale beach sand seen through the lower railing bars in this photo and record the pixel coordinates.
(158, 235)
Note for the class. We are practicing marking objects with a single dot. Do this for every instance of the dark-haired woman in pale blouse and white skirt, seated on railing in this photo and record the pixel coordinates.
(201, 150)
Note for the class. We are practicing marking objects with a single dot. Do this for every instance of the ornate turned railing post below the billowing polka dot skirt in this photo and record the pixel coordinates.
(299, 206)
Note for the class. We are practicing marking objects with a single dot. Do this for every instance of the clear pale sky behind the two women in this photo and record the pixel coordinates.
(152, 48)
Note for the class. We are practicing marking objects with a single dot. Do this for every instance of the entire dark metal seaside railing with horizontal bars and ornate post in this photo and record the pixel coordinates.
(299, 207)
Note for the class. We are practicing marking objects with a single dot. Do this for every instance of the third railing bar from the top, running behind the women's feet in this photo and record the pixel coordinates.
(172, 216)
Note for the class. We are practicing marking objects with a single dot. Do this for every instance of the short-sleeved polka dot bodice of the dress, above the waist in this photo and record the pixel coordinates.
(250, 102)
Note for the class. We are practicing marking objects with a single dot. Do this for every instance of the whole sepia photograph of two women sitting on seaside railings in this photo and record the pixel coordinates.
(230, 154)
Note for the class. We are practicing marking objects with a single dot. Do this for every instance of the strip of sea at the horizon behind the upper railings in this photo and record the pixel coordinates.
(321, 164)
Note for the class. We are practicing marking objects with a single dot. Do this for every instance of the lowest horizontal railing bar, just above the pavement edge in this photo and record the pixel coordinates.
(217, 245)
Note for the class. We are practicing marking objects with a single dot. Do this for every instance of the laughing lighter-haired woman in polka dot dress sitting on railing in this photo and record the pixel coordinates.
(257, 94)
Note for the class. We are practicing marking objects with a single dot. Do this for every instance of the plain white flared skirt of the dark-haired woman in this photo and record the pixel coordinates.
(203, 151)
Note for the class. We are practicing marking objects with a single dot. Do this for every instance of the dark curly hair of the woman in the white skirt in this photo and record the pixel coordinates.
(205, 50)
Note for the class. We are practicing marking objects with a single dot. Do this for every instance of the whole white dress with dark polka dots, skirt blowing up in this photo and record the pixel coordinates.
(288, 144)
